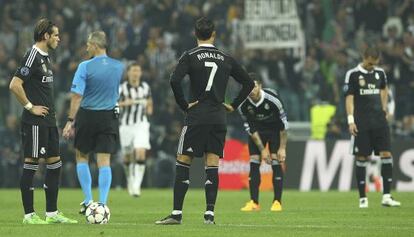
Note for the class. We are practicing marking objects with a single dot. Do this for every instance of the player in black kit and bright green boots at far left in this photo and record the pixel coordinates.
(32, 85)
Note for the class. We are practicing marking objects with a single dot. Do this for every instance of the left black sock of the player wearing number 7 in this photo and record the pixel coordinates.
(182, 181)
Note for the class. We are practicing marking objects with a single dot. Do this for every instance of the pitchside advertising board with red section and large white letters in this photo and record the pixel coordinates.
(317, 165)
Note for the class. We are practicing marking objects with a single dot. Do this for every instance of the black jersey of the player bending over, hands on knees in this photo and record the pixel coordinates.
(267, 115)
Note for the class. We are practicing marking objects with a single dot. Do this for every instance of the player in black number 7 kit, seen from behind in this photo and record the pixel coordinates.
(204, 132)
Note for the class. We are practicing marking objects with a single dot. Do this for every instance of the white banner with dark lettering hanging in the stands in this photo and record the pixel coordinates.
(271, 24)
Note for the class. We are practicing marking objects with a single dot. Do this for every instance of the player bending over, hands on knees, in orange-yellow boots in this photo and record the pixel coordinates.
(266, 123)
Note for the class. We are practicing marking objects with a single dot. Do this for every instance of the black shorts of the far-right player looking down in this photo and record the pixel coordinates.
(370, 140)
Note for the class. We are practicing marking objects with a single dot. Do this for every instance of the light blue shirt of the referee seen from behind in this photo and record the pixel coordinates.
(97, 80)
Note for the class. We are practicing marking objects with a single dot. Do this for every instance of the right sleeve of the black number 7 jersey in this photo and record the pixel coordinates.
(241, 76)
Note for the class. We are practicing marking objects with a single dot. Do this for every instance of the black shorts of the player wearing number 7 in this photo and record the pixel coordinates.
(195, 140)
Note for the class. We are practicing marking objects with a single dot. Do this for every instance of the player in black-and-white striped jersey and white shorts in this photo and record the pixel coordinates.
(136, 104)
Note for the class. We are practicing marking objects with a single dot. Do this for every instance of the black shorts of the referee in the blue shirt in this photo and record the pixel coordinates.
(96, 131)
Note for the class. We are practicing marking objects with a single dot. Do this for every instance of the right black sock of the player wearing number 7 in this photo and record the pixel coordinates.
(211, 187)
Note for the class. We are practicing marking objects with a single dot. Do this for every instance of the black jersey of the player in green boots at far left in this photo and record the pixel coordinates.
(36, 72)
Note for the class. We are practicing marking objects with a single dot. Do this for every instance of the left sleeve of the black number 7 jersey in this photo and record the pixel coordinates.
(175, 81)
